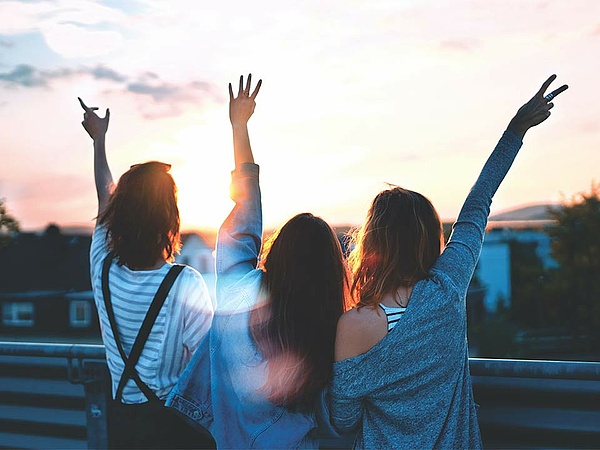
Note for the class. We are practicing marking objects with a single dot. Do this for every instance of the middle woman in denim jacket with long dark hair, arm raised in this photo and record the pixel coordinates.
(272, 340)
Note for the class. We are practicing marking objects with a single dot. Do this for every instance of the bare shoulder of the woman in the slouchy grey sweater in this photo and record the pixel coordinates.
(358, 330)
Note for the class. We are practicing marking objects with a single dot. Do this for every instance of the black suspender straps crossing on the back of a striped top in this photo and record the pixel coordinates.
(140, 341)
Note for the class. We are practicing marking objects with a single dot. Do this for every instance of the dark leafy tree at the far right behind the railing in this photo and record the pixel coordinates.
(576, 247)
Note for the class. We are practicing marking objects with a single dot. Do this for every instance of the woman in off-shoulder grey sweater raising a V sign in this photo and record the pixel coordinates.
(401, 379)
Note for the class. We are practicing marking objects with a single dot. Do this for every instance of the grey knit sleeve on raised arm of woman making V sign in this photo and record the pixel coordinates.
(461, 254)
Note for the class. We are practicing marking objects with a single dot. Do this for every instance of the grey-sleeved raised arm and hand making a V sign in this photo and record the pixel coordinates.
(462, 252)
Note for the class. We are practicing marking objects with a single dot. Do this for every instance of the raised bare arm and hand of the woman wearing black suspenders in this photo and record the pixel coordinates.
(96, 128)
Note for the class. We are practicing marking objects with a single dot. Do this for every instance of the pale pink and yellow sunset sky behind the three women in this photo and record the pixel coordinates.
(355, 94)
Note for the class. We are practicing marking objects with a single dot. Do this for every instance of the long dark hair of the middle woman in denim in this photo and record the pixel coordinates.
(305, 283)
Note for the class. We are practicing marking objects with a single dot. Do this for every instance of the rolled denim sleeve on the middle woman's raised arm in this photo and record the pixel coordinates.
(240, 236)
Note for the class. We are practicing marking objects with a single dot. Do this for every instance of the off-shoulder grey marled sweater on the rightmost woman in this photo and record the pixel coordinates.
(413, 388)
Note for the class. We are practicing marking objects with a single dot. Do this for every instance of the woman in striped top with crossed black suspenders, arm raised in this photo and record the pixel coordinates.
(153, 314)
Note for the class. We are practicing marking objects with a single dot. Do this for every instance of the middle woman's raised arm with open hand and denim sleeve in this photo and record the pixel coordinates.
(240, 236)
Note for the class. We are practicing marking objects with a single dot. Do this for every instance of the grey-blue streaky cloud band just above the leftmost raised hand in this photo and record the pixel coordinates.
(159, 98)
